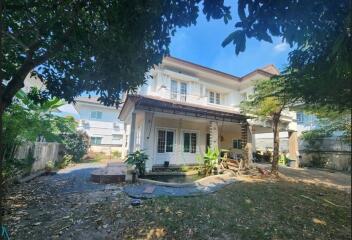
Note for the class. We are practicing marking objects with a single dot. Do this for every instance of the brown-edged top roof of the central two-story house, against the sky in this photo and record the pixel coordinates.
(268, 70)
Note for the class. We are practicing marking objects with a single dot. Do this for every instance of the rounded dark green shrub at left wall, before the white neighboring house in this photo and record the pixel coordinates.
(76, 145)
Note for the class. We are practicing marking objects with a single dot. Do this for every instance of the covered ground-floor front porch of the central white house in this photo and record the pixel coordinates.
(180, 133)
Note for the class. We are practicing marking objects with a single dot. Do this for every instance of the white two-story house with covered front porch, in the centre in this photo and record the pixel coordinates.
(185, 108)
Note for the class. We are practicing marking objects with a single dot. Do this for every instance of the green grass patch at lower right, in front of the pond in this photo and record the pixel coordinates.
(258, 210)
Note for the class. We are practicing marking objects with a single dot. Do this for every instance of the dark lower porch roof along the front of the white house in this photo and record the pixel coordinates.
(156, 104)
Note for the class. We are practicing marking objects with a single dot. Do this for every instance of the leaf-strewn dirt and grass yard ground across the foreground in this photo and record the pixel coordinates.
(69, 206)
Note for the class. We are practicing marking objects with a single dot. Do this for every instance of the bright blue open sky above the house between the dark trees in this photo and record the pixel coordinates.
(201, 44)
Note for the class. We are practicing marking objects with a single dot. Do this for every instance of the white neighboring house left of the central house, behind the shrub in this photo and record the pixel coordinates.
(101, 124)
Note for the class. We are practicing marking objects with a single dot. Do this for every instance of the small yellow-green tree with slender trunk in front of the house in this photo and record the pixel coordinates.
(269, 101)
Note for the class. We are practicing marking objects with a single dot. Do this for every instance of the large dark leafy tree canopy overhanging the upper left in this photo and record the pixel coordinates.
(84, 45)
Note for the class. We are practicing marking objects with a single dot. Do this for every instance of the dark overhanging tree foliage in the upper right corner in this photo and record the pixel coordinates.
(319, 70)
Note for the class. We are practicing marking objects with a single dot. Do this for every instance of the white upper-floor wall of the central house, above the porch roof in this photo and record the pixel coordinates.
(199, 84)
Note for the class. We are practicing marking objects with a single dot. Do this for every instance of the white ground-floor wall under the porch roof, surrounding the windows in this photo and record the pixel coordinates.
(146, 137)
